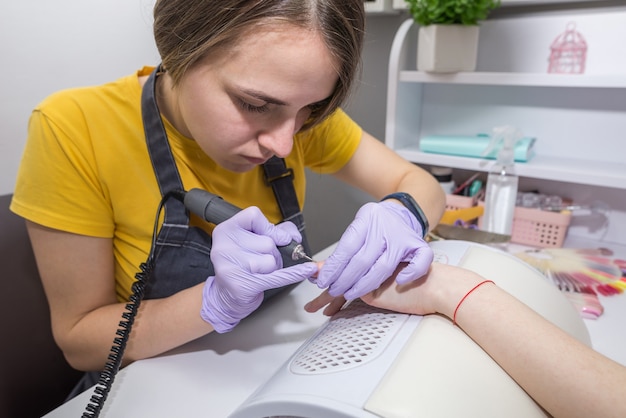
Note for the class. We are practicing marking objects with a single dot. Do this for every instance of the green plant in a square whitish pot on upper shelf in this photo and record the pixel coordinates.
(448, 33)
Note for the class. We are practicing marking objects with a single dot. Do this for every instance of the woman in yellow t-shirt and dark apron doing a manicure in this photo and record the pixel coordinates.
(246, 89)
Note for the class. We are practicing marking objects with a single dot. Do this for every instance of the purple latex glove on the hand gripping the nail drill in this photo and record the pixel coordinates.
(246, 263)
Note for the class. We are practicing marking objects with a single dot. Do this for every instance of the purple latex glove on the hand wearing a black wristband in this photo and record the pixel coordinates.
(381, 236)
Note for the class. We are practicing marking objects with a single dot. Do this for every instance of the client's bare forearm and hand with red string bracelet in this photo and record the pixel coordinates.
(564, 376)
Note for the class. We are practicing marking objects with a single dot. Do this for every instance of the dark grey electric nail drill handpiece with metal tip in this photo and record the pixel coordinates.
(214, 209)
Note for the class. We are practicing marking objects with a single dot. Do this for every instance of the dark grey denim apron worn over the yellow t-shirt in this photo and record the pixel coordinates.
(181, 254)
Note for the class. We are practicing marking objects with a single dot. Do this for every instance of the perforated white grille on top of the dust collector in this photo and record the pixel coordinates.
(353, 336)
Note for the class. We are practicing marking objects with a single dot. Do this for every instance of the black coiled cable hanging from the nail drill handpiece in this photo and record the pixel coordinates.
(114, 360)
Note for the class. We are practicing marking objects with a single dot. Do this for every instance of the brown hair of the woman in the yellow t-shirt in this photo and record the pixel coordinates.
(186, 31)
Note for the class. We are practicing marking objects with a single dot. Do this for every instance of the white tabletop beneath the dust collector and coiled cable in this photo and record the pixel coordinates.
(213, 375)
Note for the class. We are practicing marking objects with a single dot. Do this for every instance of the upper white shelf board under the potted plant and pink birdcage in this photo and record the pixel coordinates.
(517, 79)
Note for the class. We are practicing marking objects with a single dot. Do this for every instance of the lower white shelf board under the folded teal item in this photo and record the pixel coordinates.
(547, 168)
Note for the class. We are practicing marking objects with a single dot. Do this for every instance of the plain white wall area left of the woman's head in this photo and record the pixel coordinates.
(48, 45)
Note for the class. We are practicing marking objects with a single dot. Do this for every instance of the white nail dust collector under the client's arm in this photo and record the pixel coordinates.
(366, 362)
